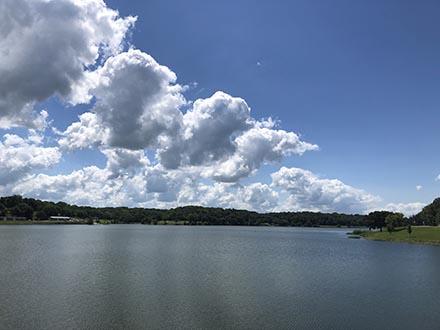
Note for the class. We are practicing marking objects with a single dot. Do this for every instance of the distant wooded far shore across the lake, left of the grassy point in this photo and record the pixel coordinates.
(17, 208)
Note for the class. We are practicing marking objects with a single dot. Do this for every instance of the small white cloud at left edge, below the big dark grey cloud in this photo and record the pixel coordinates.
(19, 157)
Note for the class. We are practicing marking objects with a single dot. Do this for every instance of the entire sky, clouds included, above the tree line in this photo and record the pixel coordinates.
(260, 105)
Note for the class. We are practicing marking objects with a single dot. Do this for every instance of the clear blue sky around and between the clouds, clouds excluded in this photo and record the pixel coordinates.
(358, 78)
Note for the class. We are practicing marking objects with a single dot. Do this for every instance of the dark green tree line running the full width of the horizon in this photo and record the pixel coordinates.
(34, 209)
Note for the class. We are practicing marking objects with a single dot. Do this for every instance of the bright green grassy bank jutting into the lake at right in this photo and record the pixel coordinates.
(419, 235)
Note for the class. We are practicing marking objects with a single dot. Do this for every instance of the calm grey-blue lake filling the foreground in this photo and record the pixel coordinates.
(137, 277)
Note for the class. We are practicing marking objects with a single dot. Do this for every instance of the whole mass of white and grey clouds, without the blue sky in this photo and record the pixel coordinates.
(74, 49)
